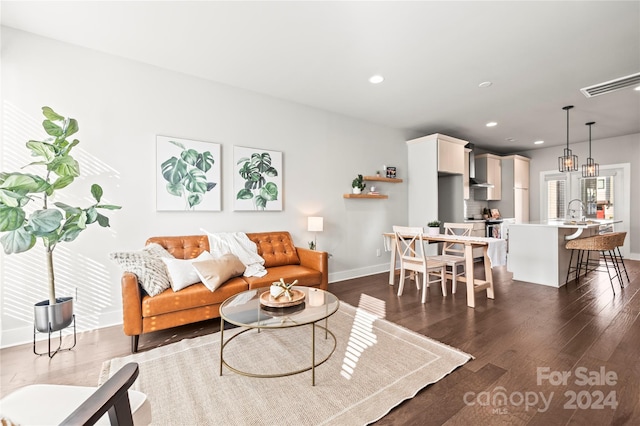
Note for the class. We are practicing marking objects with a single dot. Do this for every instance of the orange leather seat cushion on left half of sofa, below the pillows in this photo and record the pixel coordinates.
(194, 296)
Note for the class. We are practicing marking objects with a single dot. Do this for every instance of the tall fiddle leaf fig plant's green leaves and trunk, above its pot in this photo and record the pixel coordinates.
(52, 223)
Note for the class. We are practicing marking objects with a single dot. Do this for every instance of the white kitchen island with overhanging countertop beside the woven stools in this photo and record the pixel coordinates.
(537, 252)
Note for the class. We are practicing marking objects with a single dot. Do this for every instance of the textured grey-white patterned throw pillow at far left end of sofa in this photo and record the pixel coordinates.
(146, 264)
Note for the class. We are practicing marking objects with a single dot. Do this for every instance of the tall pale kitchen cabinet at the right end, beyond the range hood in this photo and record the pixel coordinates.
(515, 188)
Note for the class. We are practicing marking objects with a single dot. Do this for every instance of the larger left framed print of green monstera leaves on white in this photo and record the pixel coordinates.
(187, 175)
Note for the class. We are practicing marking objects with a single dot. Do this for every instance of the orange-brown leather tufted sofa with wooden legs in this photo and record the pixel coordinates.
(144, 314)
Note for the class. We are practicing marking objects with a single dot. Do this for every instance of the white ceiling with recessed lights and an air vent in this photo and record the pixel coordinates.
(433, 55)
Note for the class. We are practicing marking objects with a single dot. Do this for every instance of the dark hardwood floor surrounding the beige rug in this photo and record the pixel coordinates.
(523, 342)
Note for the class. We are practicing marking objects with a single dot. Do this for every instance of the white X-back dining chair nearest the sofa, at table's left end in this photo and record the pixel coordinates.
(410, 248)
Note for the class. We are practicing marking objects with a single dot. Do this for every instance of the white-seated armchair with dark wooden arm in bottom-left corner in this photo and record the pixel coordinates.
(76, 405)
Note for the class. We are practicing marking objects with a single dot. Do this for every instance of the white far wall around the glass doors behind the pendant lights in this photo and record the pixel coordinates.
(620, 150)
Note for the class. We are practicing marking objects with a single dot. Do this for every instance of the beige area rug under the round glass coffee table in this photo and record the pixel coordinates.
(376, 366)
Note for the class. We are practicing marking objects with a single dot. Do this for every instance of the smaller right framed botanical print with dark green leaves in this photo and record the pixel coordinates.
(257, 179)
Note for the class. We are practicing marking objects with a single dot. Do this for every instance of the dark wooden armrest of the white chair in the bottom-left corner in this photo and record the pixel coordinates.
(111, 397)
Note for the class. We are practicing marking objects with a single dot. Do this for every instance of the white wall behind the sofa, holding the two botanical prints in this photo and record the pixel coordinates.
(121, 106)
